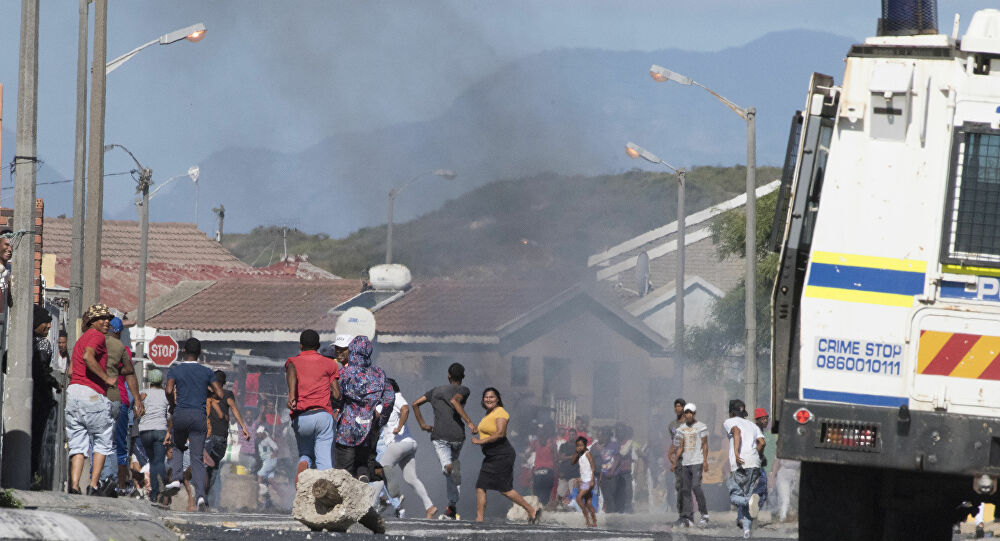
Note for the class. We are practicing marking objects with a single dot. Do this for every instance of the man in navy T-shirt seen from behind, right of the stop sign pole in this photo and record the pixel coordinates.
(192, 383)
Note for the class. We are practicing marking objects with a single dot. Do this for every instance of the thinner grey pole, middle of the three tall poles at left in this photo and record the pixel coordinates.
(79, 180)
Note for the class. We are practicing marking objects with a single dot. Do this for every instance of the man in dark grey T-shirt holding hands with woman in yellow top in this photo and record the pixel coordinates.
(448, 431)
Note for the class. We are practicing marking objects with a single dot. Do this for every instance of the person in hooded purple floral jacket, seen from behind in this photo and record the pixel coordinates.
(363, 388)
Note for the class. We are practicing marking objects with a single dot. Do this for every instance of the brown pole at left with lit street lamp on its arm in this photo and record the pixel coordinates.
(91, 272)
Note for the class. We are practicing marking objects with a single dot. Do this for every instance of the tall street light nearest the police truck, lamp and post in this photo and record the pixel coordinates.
(749, 114)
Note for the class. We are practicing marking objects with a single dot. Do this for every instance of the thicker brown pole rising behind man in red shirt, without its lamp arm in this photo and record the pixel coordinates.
(95, 171)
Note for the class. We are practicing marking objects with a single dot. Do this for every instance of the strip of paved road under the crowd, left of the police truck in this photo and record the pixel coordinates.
(209, 526)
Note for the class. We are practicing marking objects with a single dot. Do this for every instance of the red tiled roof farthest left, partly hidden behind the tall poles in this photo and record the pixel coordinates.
(169, 242)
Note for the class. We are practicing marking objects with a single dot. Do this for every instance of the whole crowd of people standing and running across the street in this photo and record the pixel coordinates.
(342, 411)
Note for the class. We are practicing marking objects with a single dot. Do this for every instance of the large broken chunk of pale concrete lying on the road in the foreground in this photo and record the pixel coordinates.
(333, 500)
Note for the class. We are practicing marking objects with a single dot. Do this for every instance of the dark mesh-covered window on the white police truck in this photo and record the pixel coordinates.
(972, 215)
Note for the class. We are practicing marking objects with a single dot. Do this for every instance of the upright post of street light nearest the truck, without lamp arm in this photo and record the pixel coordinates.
(750, 310)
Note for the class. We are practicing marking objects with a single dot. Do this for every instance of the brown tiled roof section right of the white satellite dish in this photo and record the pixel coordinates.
(443, 306)
